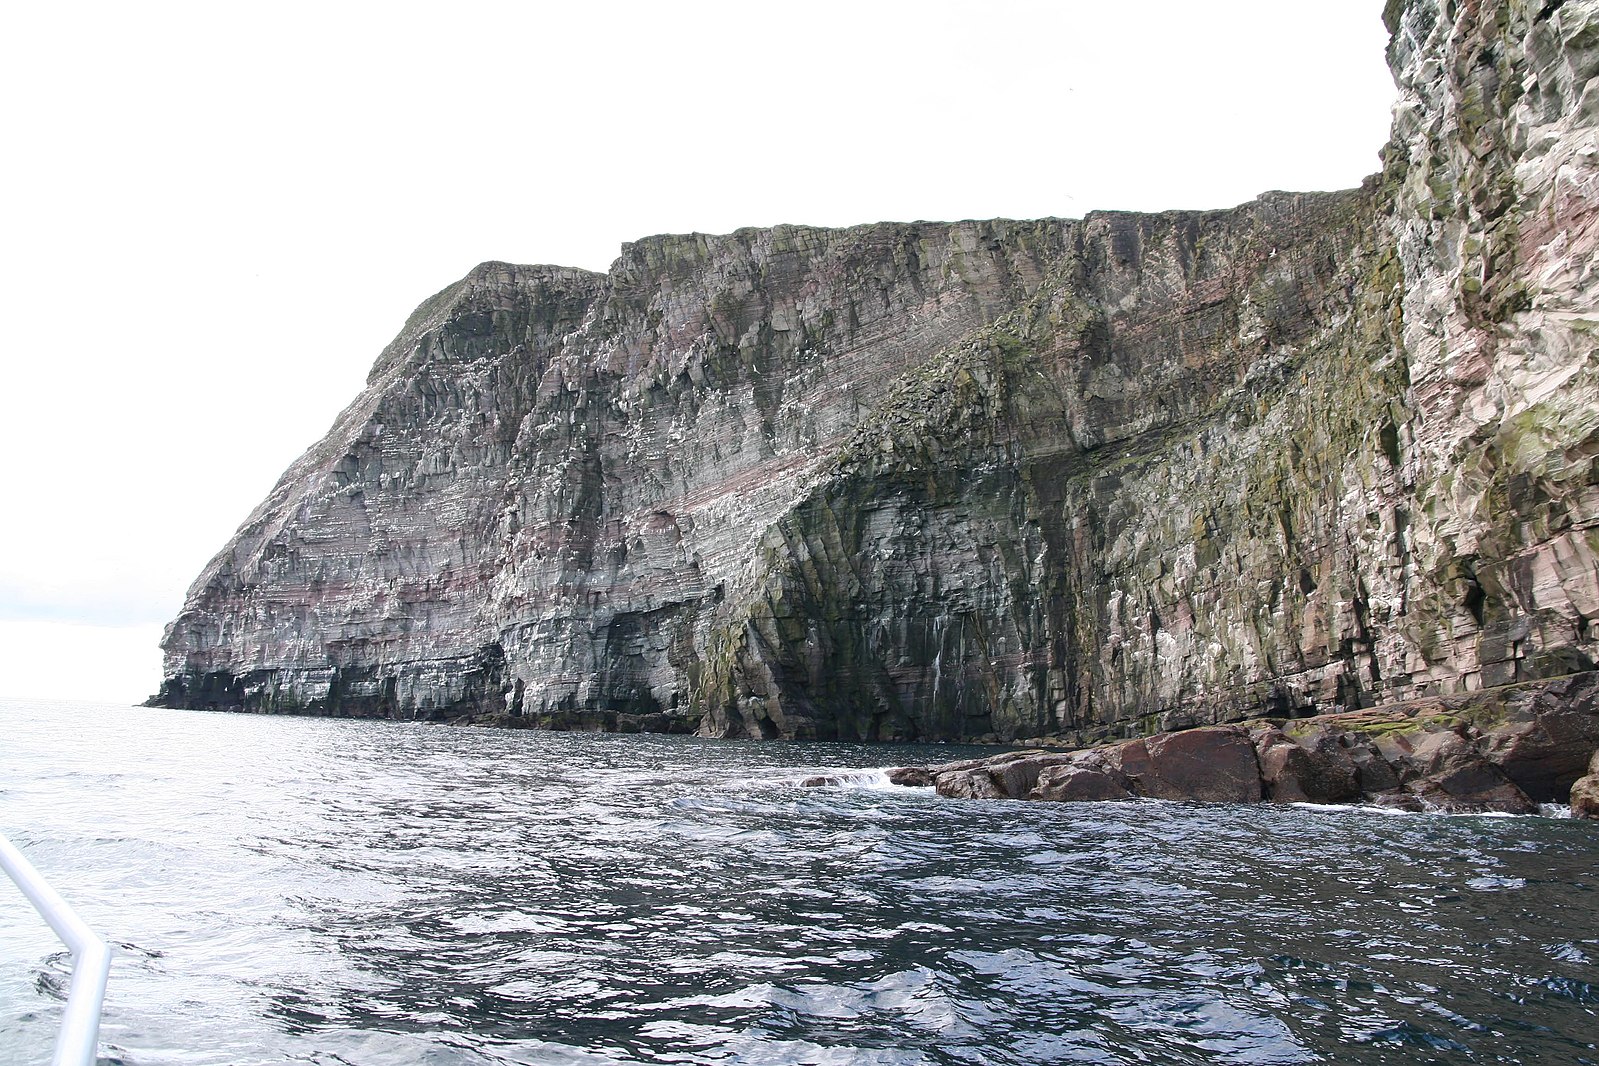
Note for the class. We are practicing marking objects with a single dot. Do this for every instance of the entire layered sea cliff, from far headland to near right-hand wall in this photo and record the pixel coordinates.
(983, 480)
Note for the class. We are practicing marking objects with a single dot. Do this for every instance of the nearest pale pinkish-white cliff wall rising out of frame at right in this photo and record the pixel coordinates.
(1494, 173)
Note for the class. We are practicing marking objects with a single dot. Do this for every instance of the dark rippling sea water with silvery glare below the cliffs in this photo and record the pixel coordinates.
(308, 891)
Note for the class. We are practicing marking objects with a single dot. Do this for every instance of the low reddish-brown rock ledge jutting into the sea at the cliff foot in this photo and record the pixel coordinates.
(1505, 752)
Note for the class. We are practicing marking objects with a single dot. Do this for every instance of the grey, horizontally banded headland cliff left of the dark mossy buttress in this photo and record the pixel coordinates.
(554, 475)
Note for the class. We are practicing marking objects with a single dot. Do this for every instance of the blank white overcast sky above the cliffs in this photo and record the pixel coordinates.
(217, 215)
